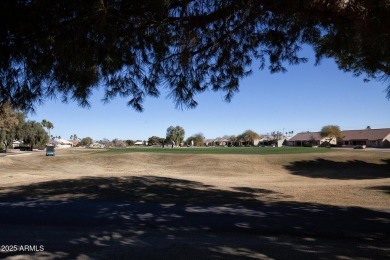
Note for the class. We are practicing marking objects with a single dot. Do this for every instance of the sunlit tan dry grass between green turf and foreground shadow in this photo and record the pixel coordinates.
(345, 178)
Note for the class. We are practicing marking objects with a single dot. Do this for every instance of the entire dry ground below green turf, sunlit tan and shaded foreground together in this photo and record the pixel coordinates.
(84, 204)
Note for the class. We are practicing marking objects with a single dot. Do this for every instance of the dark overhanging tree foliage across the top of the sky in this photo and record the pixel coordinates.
(135, 48)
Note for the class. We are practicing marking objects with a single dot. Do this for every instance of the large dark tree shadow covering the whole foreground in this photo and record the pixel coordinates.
(163, 218)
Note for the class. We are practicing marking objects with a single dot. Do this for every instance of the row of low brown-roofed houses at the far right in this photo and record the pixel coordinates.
(379, 138)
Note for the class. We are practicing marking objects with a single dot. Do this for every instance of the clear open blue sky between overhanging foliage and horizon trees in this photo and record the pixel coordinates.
(305, 98)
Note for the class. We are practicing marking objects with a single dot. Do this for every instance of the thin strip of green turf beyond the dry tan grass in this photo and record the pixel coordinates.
(223, 150)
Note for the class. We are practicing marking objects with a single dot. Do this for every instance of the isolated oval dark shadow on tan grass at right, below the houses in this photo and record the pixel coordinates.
(349, 170)
